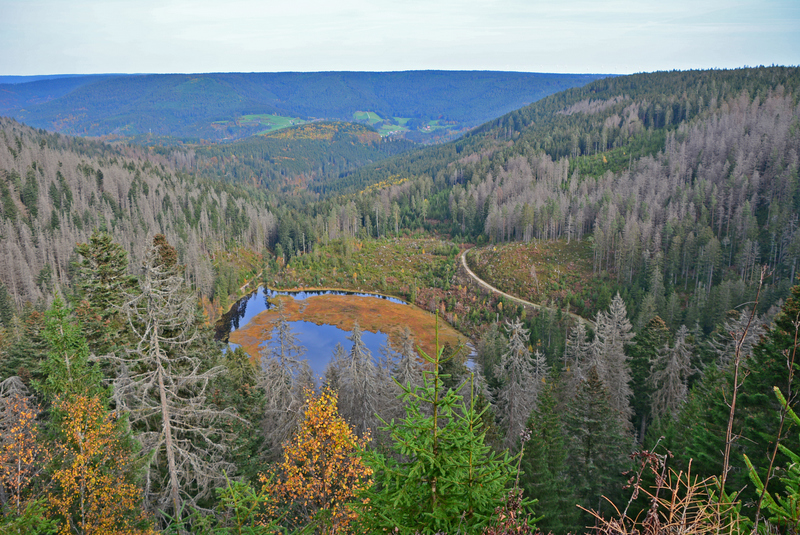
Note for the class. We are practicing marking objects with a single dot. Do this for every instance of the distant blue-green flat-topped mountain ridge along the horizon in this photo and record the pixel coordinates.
(209, 106)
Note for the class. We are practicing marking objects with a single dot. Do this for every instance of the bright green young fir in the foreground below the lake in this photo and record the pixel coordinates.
(440, 475)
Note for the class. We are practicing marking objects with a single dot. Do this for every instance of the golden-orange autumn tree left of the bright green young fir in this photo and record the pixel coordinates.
(322, 472)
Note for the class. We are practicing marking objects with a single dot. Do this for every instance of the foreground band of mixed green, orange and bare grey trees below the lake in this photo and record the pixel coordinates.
(120, 413)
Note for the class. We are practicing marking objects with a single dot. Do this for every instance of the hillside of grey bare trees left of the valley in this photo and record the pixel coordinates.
(56, 190)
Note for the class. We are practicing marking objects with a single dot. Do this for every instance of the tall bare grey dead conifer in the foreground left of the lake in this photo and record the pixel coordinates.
(162, 386)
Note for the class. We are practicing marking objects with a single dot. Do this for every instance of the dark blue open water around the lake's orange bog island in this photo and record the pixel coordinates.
(319, 340)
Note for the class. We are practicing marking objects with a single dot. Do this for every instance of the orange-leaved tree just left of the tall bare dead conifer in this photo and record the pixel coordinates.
(91, 491)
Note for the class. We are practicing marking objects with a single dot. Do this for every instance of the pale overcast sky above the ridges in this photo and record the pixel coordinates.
(566, 36)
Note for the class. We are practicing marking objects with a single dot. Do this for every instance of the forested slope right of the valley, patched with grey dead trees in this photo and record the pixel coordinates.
(683, 182)
